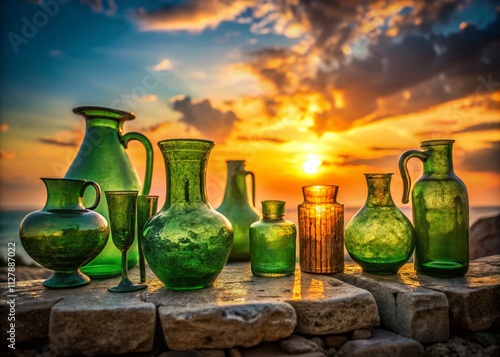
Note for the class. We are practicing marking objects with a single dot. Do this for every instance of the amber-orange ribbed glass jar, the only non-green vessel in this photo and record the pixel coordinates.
(321, 230)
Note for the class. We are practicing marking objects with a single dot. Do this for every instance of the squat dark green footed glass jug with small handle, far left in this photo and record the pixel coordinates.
(64, 235)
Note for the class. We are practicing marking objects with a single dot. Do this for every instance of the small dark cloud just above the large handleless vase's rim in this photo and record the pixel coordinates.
(217, 125)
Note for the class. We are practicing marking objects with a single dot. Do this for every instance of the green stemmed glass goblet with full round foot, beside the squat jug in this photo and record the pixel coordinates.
(122, 212)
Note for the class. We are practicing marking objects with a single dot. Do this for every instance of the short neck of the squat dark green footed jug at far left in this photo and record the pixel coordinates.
(63, 194)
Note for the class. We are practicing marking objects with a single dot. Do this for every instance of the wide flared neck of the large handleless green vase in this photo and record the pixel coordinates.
(186, 163)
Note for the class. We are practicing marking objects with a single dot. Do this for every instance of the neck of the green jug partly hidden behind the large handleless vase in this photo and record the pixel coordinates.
(236, 187)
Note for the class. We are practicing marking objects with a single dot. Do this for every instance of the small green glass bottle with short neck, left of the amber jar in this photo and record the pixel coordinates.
(273, 242)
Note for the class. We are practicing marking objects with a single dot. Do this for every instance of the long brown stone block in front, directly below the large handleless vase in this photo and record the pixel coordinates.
(226, 325)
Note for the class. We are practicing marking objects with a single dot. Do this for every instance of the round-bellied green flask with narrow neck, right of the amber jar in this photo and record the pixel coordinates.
(379, 237)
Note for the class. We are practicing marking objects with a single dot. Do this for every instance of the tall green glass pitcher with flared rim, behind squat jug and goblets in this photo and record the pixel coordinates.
(102, 158)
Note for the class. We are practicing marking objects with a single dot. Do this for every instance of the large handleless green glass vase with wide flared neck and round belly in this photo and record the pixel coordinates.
(187, 243)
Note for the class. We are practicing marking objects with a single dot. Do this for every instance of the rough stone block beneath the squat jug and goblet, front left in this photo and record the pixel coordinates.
(111, 323)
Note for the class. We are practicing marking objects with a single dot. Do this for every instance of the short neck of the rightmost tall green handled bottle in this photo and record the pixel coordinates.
(439, 160)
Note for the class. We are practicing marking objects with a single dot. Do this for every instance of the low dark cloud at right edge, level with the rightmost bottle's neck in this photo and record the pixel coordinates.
(483, 160)
